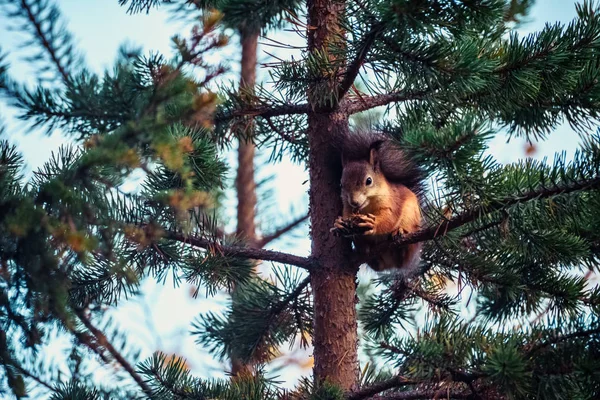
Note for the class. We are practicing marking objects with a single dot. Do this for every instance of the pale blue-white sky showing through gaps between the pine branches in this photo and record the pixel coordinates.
(100, 27)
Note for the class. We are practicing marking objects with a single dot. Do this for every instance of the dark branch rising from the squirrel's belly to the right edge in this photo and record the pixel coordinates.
(469, 216)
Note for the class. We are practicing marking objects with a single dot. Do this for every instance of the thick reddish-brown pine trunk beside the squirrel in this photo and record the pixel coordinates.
(334, 282)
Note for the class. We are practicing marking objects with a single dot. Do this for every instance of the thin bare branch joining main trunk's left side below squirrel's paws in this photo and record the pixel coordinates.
(244, 252)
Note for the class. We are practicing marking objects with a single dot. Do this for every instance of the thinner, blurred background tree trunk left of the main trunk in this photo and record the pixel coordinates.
(244, 182)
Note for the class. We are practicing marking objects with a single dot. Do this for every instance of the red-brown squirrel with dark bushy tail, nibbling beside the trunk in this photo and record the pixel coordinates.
(381, 191)
